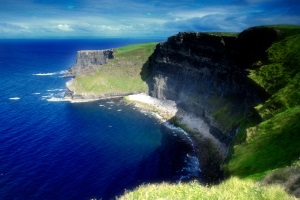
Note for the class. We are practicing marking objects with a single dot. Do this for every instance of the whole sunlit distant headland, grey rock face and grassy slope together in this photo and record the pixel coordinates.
(109, 73)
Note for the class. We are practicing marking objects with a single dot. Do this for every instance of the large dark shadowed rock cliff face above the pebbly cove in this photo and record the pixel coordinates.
(205, 74)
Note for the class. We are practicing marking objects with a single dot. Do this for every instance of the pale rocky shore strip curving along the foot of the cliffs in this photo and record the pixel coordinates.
(165, 111)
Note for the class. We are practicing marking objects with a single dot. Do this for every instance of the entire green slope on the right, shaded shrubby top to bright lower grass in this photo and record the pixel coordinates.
(274, 143)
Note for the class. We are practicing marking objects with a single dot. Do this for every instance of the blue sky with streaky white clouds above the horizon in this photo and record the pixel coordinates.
(138, 18)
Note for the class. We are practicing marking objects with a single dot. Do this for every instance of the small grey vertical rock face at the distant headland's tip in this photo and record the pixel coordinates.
(89, 58)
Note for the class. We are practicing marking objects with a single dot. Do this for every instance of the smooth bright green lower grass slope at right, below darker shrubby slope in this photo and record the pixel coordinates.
(272, 144)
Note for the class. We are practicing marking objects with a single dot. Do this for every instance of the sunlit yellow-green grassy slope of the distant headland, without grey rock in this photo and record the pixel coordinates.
(119, 75)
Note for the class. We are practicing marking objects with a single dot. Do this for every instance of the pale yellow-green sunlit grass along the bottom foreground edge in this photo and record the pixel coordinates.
(233, 188)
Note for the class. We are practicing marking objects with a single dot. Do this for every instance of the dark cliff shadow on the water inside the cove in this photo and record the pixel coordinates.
(168, 163)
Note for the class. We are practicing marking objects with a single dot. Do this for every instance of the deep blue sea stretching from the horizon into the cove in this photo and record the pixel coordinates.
(55, 149)
